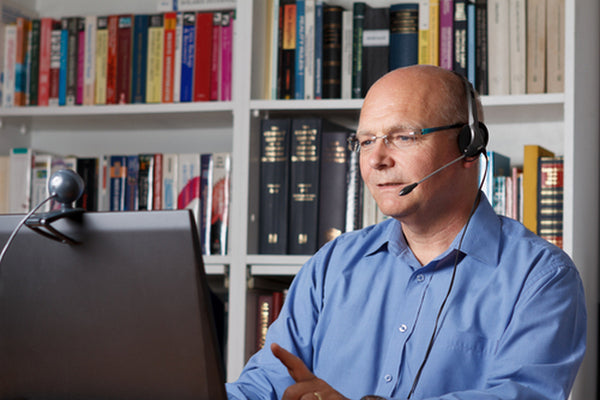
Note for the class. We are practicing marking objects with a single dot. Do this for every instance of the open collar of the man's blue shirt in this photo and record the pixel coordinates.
(482, 239)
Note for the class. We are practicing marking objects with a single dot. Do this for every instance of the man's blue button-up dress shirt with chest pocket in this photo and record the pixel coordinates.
(361, 312)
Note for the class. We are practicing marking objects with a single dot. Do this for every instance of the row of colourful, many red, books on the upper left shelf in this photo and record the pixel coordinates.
(118, 59)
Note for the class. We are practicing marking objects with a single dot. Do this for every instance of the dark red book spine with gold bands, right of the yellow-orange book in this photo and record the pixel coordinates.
(550, 199)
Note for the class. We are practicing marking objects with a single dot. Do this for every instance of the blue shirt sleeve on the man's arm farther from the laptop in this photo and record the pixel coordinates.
(543, 346)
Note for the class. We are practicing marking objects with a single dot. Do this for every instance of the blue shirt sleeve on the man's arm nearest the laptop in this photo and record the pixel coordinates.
(264, 377)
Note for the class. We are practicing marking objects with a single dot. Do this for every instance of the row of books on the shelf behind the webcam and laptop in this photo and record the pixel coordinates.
(200, 182)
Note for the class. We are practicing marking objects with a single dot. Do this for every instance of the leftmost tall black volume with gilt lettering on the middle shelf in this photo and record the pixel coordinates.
(274, 186)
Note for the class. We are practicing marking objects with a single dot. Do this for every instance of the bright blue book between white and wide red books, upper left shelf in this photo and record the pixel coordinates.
(188, 46)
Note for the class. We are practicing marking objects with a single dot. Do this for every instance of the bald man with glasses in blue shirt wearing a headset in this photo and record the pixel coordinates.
(445, 300)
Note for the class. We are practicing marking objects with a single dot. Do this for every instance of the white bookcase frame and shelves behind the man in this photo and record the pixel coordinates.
(566, 123)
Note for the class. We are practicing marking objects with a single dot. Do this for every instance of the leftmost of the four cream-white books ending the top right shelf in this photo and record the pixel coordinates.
(498, 47)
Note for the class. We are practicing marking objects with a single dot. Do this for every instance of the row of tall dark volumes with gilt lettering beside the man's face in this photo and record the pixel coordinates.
(310, 189)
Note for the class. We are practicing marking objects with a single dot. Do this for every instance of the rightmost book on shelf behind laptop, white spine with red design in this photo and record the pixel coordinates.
(219, 218)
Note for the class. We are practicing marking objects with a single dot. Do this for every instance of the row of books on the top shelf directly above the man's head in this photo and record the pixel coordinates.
(325, 51)
